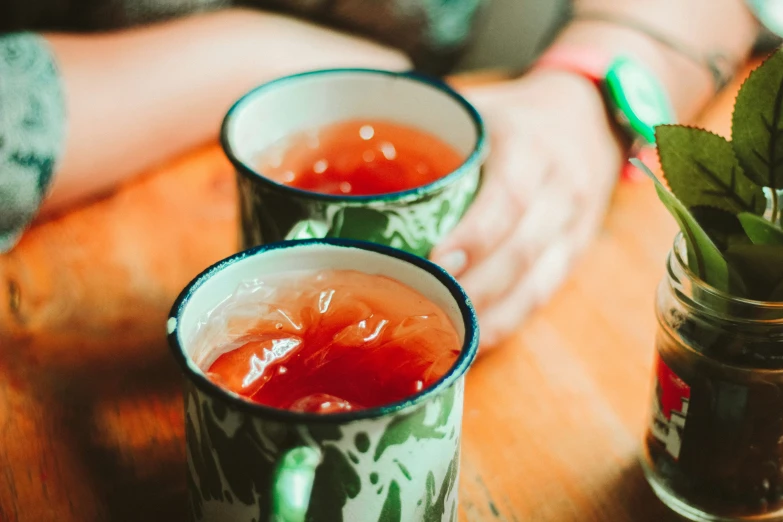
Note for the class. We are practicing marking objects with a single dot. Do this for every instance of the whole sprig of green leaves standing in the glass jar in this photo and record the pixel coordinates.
(725, 195)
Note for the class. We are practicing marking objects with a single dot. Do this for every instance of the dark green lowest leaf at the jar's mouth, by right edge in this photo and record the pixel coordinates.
(761, 268)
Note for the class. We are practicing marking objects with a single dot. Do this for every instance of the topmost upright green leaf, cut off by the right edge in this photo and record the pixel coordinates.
(757, 124)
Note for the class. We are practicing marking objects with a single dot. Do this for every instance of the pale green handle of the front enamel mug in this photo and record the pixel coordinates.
(292, 483)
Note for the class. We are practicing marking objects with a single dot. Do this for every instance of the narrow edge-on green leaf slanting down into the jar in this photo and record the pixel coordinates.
(704, 258)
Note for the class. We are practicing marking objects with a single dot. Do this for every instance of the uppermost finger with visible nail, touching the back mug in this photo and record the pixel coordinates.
(512, 177)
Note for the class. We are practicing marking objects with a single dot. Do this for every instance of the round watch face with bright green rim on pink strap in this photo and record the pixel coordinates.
(638, 99)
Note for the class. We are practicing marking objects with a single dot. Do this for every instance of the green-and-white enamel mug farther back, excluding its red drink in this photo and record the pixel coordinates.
(413, 220)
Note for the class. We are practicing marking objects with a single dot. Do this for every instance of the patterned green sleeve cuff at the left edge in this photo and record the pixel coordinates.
(32, 126)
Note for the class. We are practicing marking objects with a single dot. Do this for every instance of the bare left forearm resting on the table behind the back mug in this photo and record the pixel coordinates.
(137, 97)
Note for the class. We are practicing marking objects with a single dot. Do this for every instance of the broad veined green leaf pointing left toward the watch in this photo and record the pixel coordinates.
(702, 170)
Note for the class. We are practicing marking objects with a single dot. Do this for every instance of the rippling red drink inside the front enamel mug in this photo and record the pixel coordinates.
(335, 341)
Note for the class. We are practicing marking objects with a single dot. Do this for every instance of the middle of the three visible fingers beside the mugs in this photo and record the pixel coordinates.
(549, 218)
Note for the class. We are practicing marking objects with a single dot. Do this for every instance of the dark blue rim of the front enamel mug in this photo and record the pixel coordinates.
(461, 365)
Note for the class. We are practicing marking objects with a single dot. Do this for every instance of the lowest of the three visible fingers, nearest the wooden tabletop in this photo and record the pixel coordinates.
(504, 317)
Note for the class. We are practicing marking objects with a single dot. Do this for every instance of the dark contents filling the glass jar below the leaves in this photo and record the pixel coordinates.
(730, 457)
